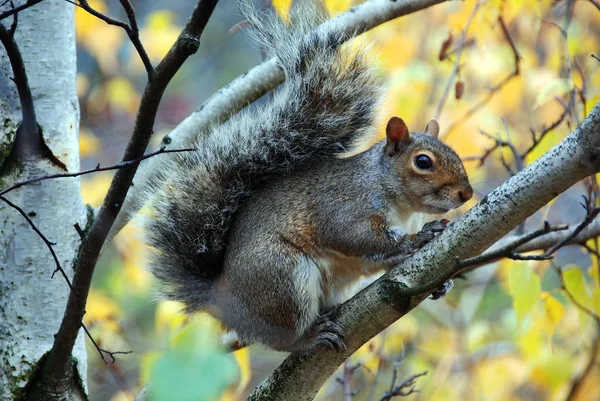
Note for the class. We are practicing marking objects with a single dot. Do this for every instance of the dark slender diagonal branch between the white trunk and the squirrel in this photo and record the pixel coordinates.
(187, 44)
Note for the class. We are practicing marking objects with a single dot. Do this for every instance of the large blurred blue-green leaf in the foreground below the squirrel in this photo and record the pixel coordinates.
(194, 370)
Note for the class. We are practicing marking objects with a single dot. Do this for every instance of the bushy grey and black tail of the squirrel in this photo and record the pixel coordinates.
(328, 102)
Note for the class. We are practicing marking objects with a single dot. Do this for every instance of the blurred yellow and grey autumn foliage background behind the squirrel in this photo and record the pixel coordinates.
(489, 71)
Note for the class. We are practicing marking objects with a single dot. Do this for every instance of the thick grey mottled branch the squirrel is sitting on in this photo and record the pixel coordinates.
(401, 290)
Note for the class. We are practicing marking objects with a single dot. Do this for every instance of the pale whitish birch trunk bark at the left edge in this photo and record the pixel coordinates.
(32, 299)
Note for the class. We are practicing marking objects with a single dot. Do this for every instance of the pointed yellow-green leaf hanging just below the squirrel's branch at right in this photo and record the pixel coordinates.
(524, 286)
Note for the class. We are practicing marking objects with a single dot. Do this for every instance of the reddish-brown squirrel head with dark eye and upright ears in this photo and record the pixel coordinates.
(429, 176)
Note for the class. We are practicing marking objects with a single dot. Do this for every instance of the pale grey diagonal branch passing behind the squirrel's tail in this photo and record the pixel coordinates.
(255, 83)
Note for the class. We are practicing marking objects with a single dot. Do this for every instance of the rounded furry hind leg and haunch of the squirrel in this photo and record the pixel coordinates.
(261, 302)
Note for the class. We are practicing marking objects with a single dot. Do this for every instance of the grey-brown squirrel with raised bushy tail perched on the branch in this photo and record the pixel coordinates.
(265, 226)
